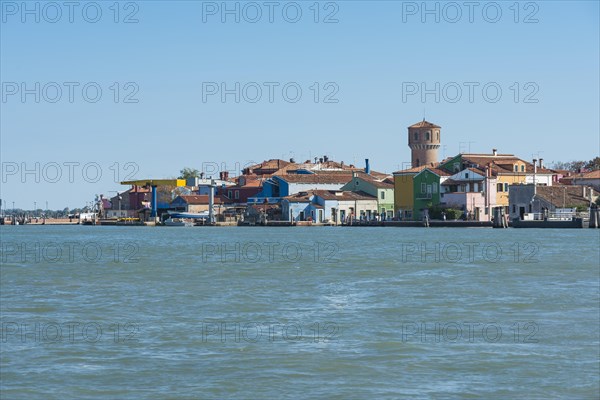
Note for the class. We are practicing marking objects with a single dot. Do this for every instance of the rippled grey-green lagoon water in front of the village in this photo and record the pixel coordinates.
(339, 313)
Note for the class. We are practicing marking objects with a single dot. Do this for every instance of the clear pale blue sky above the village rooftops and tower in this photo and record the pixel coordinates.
(94, 93)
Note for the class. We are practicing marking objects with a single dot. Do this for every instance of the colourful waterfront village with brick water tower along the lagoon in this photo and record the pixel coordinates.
(492, 189)
